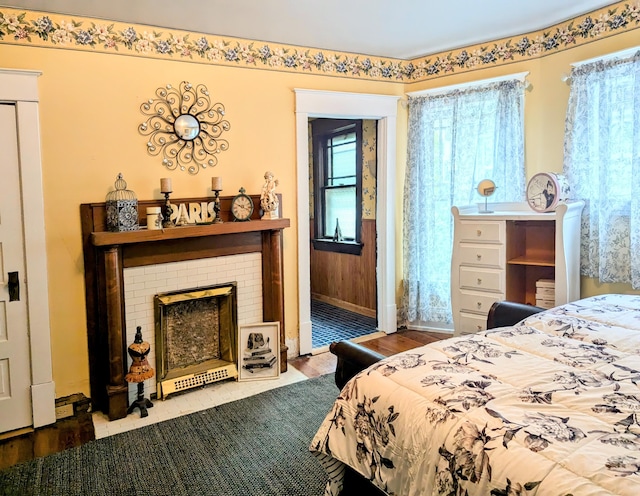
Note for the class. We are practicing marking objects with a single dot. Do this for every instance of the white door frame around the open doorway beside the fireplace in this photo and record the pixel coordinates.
(339, 105)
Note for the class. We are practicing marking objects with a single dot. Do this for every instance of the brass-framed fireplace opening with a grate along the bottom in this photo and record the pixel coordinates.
(196, 333)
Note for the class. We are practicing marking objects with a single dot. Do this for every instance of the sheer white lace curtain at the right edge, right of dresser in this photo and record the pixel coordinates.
(602, 163)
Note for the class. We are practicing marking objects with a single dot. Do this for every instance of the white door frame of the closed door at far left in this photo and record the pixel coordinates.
(20, 87)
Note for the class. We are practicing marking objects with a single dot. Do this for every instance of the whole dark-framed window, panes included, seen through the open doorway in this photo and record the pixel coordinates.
(337, 184)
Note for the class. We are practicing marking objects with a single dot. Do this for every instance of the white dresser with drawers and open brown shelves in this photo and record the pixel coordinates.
(508, 254)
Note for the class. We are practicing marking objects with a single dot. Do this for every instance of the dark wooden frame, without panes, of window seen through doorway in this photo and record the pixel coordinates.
(322, 131)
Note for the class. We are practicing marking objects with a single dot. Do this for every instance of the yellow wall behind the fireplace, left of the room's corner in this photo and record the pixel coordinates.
(89, 114)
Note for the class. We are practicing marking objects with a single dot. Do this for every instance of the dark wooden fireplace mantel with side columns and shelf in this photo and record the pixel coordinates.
(106, 254)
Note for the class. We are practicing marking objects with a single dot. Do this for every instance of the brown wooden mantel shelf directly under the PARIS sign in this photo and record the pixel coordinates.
(106, 238)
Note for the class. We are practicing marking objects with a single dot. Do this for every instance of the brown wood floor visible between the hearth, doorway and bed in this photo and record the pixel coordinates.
(325, 363)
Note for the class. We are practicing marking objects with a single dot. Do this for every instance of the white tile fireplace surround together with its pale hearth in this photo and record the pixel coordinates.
(141, 284)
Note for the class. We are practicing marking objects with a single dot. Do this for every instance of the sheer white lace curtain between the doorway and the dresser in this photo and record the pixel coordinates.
(456, 139)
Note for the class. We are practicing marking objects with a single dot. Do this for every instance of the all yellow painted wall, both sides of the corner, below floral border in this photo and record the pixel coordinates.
(89, 114)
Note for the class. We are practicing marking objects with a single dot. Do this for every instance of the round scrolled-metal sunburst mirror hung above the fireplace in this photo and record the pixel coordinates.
(184, 127)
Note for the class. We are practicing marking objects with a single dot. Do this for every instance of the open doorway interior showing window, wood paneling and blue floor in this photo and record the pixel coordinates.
(342, 200)
